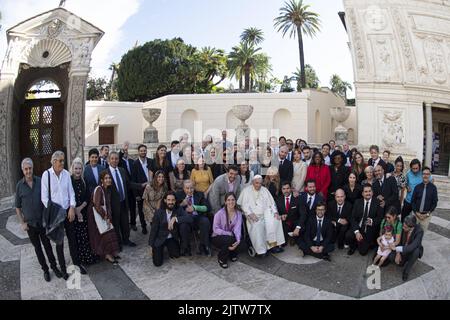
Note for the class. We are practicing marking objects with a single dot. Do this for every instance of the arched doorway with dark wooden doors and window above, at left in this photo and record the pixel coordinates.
(41, 124)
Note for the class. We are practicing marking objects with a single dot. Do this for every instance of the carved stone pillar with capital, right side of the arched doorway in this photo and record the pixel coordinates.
(75, 115)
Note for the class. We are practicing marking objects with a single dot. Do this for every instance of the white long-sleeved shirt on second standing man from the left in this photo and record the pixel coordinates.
(61, 189)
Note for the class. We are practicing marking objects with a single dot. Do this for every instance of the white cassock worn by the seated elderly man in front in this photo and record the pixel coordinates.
(267, 232)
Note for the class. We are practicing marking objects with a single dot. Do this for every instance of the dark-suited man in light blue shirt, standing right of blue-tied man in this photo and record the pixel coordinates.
(140, 174)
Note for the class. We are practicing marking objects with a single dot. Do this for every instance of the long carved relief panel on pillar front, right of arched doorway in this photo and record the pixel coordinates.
(76, 123)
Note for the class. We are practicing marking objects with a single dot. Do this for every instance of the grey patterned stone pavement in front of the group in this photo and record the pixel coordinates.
(284, 276)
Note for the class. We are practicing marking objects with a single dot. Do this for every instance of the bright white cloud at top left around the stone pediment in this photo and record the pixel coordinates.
(108, 15)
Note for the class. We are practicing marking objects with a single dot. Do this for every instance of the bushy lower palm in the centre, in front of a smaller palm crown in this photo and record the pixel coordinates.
(242, 62)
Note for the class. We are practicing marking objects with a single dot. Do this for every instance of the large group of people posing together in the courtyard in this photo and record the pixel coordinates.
(258, 196)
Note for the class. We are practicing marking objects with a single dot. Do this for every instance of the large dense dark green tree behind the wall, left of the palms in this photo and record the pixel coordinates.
(163, 67)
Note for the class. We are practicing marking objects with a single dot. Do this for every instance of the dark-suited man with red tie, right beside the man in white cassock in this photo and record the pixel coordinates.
(293, 214)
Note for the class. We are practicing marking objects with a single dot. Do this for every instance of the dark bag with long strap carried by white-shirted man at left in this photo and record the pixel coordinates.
(53, 218)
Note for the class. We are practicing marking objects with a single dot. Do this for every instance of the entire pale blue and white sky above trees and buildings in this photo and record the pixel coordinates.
(200, 23)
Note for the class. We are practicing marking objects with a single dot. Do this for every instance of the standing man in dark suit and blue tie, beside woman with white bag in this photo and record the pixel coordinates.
(119, 200)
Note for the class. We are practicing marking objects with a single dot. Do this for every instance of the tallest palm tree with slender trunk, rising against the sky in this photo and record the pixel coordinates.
(296, 19)
